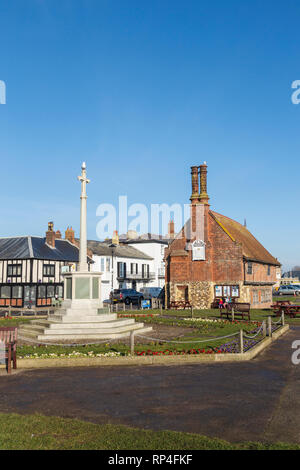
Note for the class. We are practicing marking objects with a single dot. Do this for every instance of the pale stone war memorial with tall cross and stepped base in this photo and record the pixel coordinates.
(82, 316)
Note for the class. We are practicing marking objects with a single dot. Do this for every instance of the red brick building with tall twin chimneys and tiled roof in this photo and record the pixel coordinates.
(214, 256)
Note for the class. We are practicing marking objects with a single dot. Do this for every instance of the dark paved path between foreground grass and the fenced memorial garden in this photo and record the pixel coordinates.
(258, 400)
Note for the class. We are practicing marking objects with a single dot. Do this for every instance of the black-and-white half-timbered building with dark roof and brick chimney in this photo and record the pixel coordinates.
(31, 268)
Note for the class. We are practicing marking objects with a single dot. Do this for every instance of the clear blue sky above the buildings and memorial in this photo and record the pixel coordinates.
(141, 90)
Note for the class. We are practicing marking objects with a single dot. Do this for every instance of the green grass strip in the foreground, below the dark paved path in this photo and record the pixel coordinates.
(32, 432)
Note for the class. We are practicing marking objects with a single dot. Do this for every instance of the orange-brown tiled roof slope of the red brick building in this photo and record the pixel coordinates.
(252, 249)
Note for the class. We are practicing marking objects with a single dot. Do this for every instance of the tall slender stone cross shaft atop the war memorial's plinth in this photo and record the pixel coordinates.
(83, 265)
